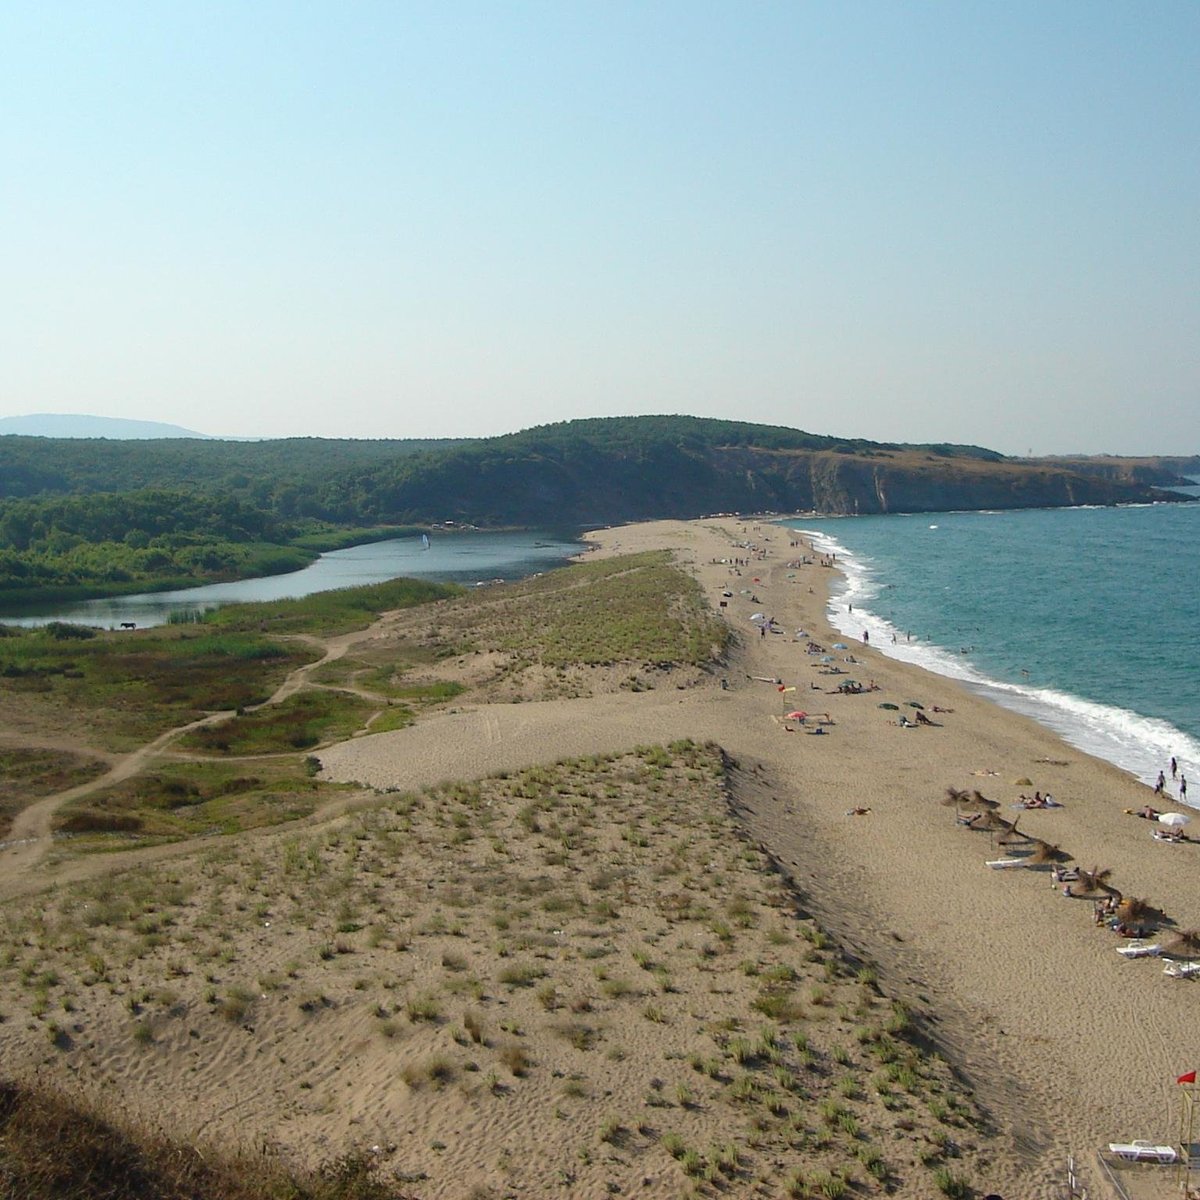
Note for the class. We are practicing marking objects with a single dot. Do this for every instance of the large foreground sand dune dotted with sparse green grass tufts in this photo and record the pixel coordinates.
(495, 940)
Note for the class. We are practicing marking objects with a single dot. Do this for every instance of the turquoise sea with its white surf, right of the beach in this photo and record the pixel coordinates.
(1087, 620)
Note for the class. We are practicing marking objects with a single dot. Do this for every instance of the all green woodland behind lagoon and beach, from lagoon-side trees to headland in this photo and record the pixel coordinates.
(95, 515)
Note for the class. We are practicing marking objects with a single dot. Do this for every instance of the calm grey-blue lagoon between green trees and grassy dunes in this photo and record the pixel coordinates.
(469, 557)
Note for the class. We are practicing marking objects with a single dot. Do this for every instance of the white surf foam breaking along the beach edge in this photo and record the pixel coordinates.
(1130, 741)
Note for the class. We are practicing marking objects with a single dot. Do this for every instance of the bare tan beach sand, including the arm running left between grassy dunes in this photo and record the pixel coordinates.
(1071, 1045)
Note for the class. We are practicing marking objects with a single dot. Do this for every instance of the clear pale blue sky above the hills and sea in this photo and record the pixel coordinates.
(955, 221)
